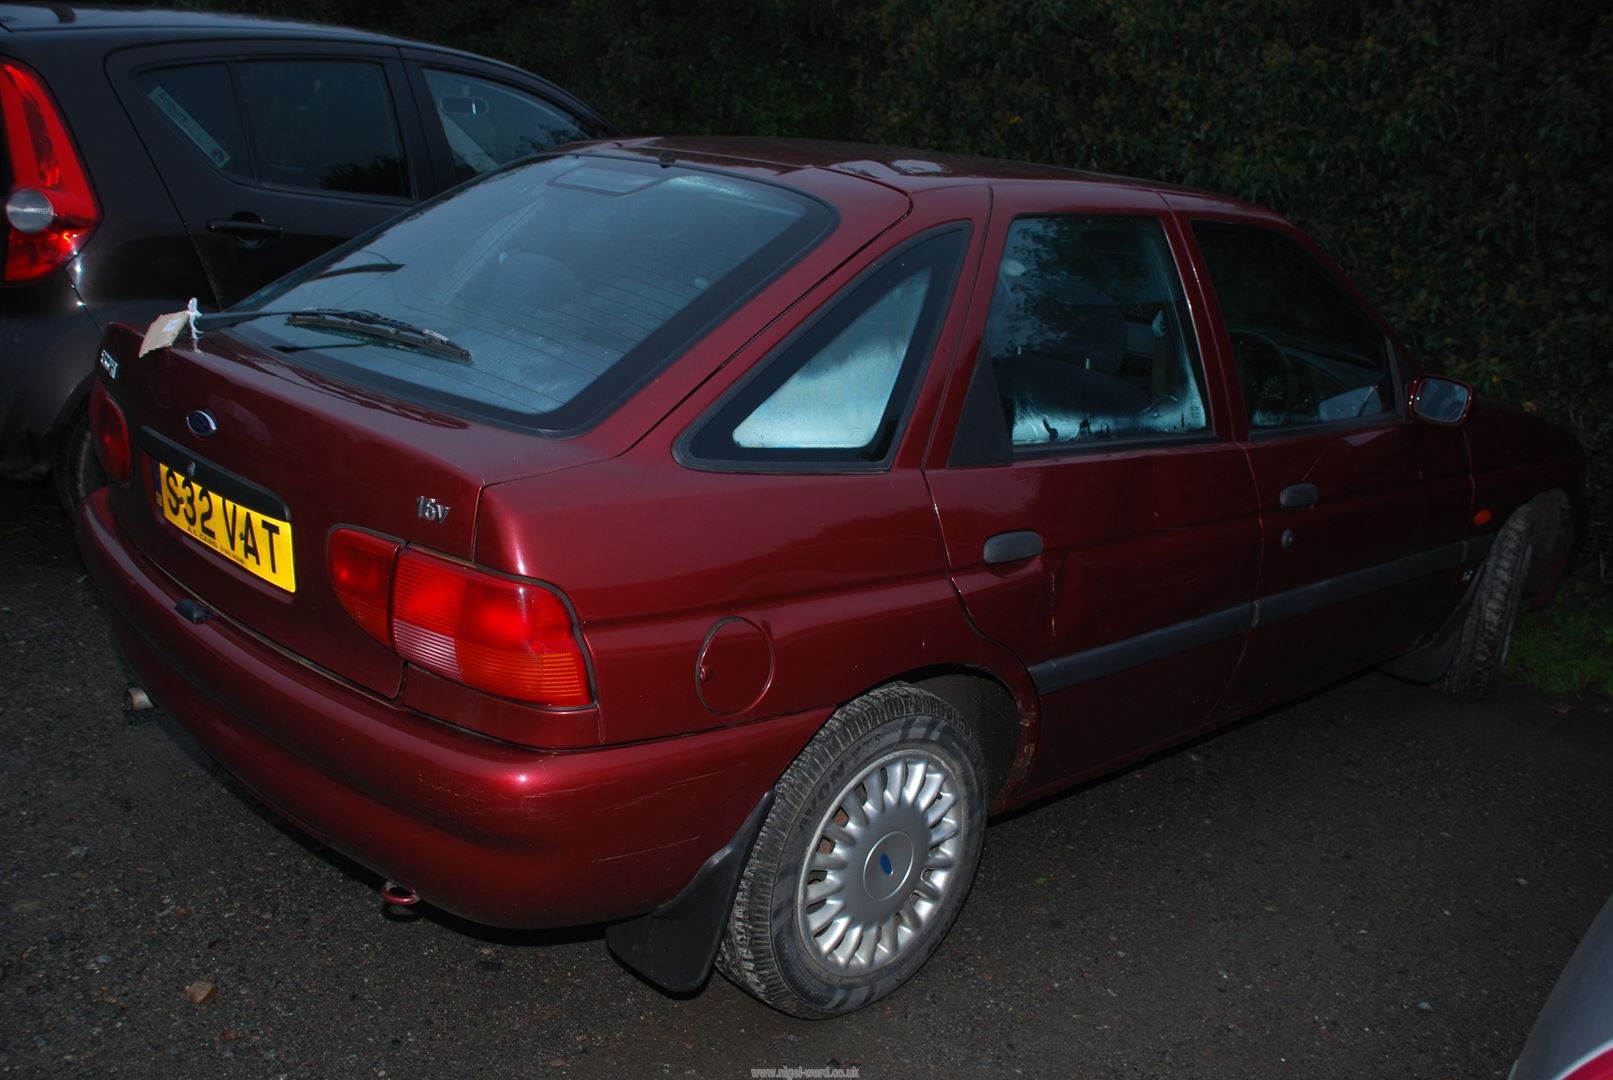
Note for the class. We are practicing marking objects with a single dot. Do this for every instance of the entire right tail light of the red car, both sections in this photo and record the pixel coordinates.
(491, 633)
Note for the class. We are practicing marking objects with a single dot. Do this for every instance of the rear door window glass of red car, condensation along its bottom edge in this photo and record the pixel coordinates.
(1090, 338)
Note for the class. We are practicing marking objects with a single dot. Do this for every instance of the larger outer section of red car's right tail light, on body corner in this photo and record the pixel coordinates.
(498, 634)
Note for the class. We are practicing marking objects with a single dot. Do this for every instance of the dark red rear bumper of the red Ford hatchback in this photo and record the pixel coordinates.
(494, 833)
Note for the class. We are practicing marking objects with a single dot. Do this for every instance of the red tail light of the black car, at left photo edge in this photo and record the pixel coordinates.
(51, 209)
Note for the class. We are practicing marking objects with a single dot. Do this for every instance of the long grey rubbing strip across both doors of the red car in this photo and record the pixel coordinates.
(1070, 671)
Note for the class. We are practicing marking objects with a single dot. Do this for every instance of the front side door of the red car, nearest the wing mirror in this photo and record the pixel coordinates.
(1362, 509)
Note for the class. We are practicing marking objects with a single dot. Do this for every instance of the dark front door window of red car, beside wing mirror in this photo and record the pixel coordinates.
(1306, 351)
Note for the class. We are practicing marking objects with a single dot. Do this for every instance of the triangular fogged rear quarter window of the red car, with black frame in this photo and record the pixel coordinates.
(840, 391)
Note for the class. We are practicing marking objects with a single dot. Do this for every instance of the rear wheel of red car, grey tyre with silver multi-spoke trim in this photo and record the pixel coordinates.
(865, 858)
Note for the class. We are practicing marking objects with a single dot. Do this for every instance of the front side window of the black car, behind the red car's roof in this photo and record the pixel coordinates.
(490, 125)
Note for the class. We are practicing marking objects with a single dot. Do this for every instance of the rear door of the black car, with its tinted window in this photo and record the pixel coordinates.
(275, 151)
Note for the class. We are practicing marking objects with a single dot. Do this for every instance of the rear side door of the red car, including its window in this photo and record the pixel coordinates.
(1098, 518)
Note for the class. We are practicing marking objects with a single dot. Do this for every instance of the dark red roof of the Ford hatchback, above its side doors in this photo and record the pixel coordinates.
(902, 168)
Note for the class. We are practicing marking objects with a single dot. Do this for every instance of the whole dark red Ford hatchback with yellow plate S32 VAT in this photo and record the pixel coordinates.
(707, 536)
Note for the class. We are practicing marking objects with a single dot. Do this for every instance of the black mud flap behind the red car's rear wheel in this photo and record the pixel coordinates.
(675, 945)
